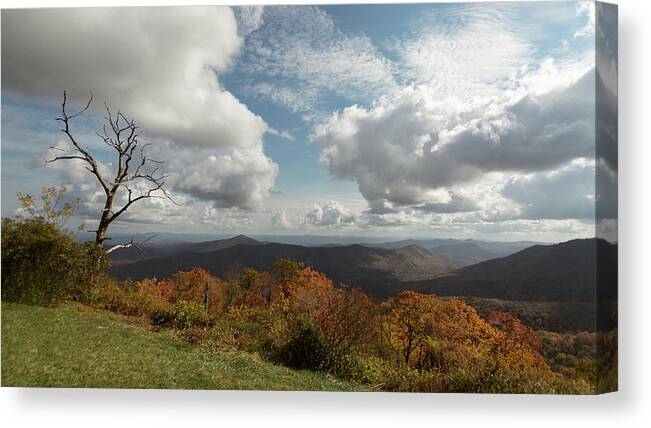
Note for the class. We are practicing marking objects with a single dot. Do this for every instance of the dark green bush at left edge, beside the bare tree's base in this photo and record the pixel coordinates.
(43, 265)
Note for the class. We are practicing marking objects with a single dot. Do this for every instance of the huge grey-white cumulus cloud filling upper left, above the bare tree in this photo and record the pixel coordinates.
(159, 66)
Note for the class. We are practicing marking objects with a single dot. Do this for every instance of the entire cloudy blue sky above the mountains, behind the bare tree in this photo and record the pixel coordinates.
(473, 120)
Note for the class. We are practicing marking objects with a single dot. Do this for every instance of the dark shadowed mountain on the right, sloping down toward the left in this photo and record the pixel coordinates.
(560, 272)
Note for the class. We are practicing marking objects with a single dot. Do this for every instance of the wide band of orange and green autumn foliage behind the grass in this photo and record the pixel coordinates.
(297, 316)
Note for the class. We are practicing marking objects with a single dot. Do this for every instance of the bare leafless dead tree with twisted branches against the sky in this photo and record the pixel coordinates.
(133, 166)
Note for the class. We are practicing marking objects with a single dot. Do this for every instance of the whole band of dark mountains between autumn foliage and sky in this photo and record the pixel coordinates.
(563, 272)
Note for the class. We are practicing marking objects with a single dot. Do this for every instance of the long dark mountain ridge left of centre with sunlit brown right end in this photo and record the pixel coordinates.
(378, 271)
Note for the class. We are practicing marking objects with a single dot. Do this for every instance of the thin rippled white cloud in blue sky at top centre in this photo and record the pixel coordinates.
(304, 58)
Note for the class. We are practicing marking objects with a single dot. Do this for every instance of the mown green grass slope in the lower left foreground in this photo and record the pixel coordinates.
(74, 346)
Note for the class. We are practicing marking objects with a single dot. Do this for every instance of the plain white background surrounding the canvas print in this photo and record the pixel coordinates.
(629, 407)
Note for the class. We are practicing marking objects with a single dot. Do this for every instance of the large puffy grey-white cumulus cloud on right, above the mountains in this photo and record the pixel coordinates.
(409, 149)
